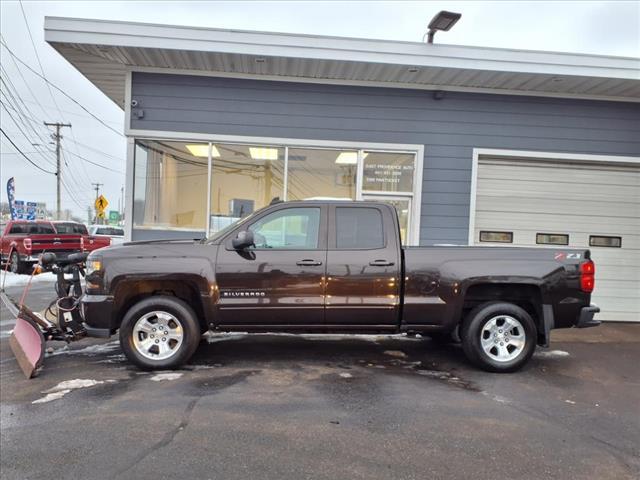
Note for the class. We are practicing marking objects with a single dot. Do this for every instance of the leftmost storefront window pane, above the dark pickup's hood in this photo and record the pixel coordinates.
(170, 185)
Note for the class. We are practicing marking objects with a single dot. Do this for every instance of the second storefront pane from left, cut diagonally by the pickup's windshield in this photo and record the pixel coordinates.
(244, 178)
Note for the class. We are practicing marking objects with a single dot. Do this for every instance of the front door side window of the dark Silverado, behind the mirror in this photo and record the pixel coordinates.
(291, 228)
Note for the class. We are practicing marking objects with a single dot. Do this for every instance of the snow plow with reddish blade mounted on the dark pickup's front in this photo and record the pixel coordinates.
(60, 321)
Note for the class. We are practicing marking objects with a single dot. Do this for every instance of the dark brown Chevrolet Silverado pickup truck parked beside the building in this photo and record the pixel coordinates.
(333, 267)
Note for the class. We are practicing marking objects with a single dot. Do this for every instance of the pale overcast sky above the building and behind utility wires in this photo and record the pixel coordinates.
(593, 27)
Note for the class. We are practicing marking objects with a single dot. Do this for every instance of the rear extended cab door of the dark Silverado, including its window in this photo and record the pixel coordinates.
(363, 267)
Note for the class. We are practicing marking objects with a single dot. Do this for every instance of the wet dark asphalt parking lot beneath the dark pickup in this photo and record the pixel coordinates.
(285, 407)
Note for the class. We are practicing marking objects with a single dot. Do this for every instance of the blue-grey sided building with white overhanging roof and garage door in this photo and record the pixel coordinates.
(472, 145)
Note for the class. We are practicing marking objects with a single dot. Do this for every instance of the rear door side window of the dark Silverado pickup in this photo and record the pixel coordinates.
(358, 227)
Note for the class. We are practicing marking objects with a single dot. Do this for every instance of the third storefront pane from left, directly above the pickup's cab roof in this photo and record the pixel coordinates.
(322, 173)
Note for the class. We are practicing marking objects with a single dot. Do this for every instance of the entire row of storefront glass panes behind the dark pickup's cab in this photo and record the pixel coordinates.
(171, 182)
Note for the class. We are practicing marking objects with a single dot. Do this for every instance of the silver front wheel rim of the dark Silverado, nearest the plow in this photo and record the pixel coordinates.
(157, 335)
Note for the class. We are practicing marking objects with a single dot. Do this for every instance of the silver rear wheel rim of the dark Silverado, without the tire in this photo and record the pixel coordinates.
(503, 338)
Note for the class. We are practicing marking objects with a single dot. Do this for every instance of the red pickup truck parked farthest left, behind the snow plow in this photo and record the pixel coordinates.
(23, 241)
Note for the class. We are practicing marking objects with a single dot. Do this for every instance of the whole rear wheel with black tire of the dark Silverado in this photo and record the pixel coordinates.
(492, 347)
